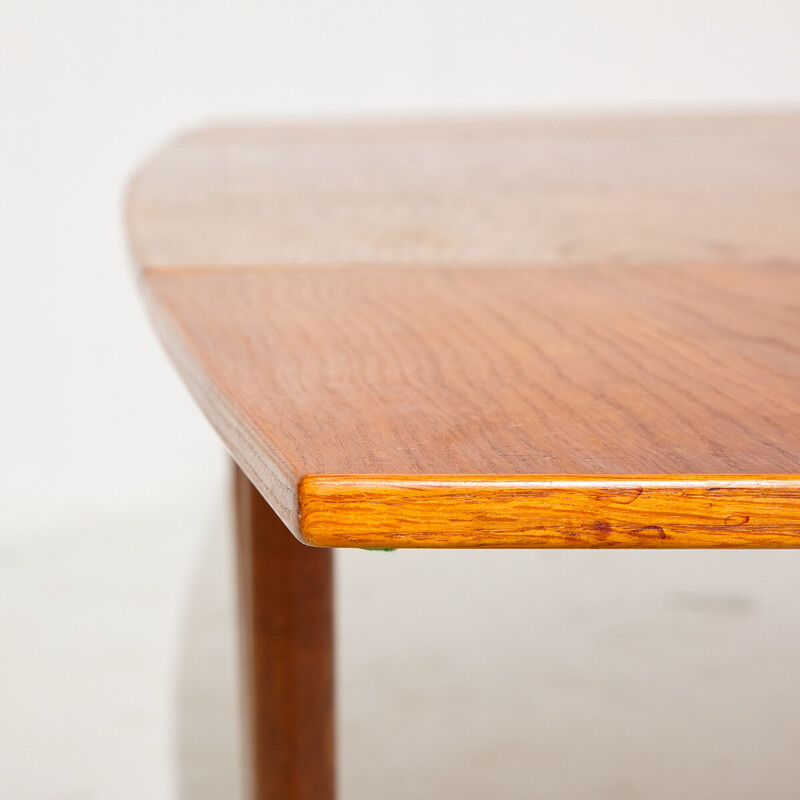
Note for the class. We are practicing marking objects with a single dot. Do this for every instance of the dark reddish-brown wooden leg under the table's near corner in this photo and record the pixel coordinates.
(286, 632)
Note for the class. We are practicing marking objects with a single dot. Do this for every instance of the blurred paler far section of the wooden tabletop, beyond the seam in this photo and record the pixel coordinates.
(570, 190)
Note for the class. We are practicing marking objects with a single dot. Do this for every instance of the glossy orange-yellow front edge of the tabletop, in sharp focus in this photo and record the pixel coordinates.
(536, 511)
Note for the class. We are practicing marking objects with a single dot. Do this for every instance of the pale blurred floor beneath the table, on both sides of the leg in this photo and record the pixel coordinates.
(561, 675)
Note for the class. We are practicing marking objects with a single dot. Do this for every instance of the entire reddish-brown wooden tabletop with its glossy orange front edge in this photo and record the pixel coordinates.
(510, 333)
